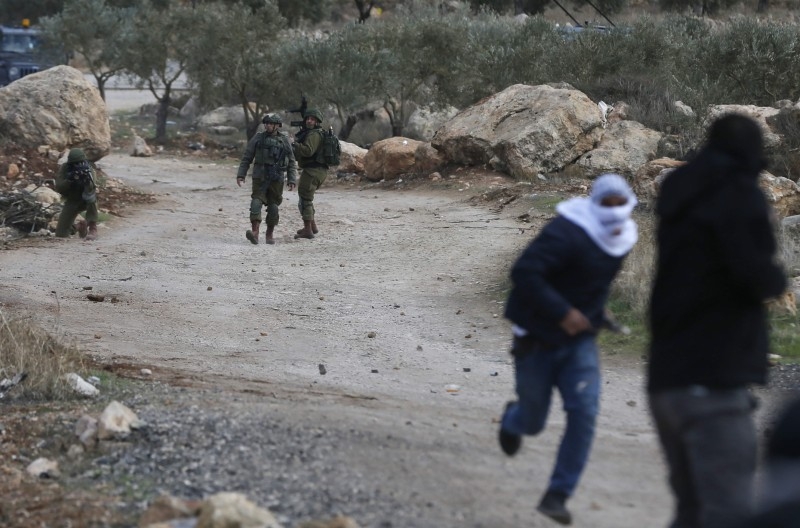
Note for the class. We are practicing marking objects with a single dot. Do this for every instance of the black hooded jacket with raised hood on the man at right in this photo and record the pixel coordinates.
(715, 266)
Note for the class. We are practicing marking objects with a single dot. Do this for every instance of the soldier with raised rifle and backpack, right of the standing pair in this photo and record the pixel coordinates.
(308, 150)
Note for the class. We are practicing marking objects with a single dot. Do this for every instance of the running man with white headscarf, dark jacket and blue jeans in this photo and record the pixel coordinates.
(561, 284)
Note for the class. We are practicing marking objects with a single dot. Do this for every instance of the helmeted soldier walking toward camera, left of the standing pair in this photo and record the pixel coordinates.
(271, 153)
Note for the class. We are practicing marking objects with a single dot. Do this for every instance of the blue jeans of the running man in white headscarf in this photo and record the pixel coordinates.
(573, 369)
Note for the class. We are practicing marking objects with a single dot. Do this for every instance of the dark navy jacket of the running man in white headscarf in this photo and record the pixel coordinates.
(560, 269)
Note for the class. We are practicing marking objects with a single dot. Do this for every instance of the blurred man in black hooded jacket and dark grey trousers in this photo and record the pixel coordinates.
(715, 268)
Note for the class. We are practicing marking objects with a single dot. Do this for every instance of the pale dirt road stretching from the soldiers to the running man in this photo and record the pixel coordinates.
(399, 297)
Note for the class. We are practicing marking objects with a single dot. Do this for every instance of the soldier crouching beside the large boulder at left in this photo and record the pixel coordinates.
(75, 182)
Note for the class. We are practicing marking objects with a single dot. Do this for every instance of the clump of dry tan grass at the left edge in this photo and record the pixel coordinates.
(25, 348)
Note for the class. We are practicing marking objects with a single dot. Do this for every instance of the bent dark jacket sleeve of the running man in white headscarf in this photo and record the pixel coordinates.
(546, 255)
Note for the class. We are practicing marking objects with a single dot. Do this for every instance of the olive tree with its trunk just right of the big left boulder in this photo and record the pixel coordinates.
(157, 53)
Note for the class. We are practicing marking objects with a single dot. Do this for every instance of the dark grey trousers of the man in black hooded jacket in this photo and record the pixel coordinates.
(709, 441)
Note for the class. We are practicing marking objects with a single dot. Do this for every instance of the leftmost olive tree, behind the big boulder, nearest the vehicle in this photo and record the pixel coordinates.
(100, 43)
